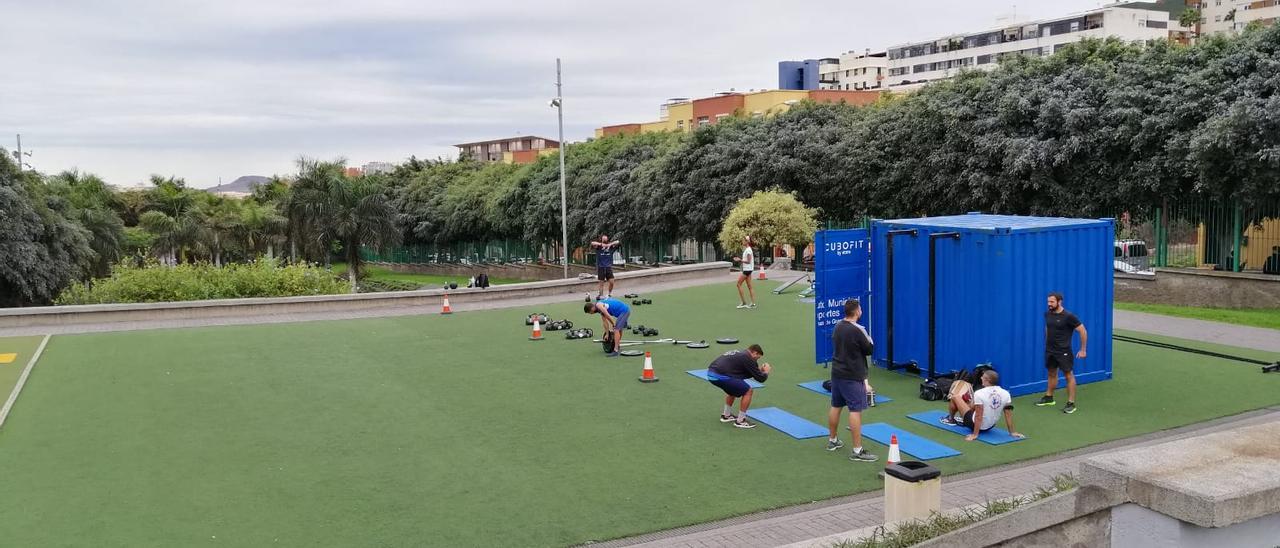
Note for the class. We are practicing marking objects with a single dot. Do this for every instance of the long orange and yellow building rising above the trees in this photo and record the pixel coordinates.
(683, 115)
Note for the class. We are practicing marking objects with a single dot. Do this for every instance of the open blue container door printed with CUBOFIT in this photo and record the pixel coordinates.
(842, 267)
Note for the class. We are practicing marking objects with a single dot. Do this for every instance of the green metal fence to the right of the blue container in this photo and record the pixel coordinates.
(1206, 235)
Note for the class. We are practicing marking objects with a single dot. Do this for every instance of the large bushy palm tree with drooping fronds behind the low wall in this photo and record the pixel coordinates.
(355, 212)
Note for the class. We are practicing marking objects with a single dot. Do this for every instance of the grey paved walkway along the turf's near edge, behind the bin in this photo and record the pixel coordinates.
(831, 518)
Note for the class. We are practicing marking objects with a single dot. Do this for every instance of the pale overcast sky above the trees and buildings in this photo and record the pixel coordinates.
(203, 90)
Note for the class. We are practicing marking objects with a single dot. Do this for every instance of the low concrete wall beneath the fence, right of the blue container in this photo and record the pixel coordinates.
(1190, 287)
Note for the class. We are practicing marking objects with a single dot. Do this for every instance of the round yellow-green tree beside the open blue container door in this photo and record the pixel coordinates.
(771, 218)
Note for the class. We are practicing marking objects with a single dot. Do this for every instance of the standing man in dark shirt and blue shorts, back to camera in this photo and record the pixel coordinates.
(849, 385)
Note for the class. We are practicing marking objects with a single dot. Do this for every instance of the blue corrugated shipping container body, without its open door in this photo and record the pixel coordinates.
(991, 294)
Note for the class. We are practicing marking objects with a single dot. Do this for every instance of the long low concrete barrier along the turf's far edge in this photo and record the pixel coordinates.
(428, 299)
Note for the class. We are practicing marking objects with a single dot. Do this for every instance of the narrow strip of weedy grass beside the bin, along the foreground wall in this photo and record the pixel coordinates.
(939, 524)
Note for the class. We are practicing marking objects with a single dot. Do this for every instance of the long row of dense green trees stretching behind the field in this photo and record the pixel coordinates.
(1096, 129)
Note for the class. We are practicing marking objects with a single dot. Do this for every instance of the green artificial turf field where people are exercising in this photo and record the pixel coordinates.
(458, 431)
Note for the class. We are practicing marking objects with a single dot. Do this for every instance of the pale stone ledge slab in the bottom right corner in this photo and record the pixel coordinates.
(1213, 481)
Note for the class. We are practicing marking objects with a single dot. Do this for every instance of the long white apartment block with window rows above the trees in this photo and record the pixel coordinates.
(908, 66)
